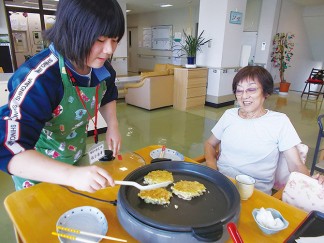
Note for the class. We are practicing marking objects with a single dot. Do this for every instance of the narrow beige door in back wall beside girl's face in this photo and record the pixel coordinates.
(132, 50)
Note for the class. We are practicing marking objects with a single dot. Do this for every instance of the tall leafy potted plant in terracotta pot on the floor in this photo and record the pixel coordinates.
(283, 47)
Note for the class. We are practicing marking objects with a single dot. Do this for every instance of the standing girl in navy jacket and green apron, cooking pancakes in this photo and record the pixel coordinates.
(55, 94)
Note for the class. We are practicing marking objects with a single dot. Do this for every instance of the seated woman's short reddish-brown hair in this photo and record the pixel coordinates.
(257, 73)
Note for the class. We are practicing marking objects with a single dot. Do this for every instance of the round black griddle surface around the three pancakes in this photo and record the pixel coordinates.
(217, 206)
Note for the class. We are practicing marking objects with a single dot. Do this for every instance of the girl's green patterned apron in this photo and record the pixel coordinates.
(64, 137)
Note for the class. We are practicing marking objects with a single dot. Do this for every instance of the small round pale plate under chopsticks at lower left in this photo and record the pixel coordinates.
(86, 218)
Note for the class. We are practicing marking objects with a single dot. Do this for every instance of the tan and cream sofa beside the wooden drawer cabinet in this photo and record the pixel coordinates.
(155, 90)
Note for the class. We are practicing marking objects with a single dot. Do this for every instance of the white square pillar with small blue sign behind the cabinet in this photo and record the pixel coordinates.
(222, 56)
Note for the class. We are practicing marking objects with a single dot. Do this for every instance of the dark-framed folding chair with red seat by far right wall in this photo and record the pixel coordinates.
(315, 78)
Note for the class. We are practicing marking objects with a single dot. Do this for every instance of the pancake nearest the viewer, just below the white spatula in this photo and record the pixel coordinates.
(159, 196)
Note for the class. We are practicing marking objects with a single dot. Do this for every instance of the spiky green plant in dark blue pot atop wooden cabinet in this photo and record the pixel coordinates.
(191, 45)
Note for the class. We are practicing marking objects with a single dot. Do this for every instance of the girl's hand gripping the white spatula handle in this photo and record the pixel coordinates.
(89, 178)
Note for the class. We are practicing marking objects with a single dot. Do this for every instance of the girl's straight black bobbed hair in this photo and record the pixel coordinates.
(79, 23)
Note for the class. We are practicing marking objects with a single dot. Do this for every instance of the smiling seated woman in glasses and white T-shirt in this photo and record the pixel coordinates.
(250, 136)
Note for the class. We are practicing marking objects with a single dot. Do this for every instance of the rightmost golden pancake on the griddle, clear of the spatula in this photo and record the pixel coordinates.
(188, 189)
